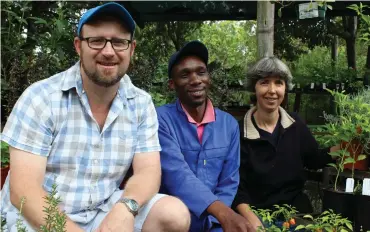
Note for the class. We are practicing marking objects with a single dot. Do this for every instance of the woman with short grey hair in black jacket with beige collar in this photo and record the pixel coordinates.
(276, 145)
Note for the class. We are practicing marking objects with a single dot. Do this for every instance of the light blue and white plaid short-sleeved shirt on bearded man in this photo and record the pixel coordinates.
(53, 118)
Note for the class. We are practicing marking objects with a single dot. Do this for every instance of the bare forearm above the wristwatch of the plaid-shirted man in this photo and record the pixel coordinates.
(143, 185)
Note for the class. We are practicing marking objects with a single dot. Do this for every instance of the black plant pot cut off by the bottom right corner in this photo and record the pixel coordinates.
(362, 213)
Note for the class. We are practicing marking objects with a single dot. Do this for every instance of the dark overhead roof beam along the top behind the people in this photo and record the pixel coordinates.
(163, 11)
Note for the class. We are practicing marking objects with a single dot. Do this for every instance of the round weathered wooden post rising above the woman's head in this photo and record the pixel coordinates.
(265, 28)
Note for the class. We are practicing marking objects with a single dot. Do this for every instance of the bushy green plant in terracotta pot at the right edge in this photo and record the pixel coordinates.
(350, 128)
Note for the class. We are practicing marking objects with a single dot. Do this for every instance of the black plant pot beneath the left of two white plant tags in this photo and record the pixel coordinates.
(340, 202)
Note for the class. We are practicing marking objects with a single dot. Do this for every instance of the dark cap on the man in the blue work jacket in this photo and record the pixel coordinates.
(195, 48)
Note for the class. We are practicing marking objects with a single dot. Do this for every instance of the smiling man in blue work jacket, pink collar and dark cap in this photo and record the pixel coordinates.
(200, 146)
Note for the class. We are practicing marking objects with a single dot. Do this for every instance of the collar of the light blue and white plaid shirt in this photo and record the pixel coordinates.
(72, 79)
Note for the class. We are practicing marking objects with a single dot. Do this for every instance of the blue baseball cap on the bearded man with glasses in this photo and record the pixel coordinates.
(110, 8)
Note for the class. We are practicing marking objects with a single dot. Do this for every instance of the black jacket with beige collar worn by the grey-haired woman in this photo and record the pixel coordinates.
(275, 174)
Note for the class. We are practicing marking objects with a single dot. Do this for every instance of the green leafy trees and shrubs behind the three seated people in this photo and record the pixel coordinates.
(37, 42)
